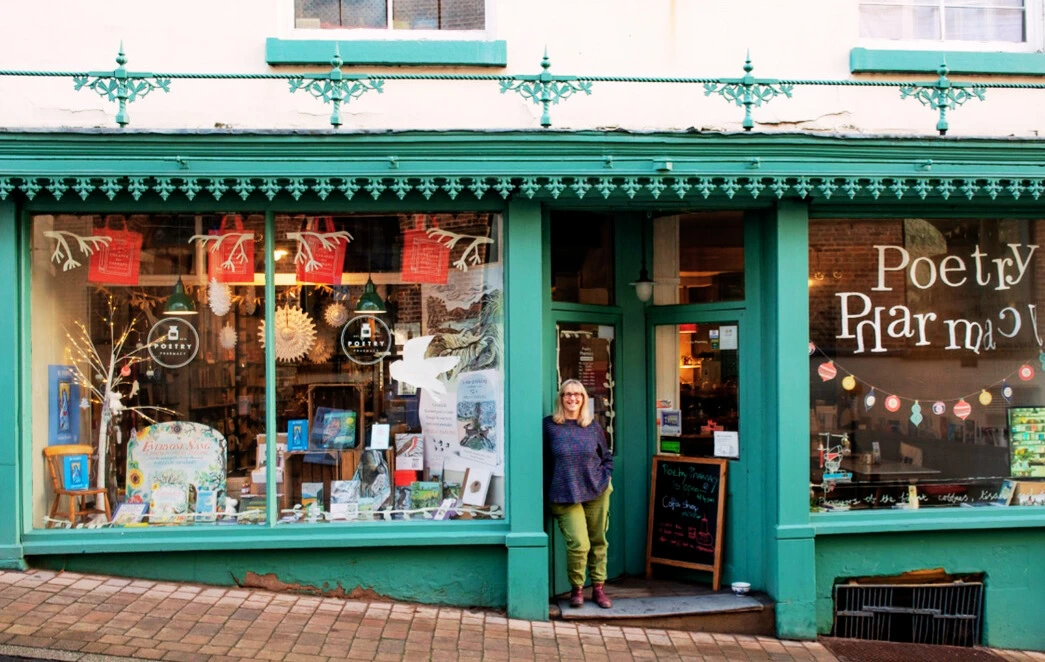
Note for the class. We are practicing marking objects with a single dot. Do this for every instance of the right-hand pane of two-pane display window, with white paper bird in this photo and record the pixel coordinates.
(394, 360)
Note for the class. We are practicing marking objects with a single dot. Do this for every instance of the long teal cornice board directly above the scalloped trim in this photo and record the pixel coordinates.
(101, 153)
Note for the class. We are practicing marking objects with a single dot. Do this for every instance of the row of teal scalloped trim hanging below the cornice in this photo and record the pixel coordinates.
(652, 188)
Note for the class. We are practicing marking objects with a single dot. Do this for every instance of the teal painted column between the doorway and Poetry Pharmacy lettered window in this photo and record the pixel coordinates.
(792, 559)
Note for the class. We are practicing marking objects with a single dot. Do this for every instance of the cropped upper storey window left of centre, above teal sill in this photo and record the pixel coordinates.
(391, 15)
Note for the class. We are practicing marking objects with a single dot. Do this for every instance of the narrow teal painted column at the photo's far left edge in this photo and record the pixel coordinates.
(11, 549)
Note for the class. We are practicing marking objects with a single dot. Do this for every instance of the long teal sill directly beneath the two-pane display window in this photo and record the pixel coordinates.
(246, 537)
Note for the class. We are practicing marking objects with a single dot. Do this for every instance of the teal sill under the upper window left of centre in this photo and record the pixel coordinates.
(405, 53)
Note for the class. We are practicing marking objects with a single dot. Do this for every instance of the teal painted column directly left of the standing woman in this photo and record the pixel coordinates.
(527, 542)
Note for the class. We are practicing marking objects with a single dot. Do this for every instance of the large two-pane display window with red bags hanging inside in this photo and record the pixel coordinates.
(149, 370)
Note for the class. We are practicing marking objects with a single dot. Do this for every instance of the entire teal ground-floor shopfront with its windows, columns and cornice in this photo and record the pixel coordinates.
(863, 313)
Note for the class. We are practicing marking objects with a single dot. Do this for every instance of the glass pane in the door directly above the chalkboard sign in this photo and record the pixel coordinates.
(698, 387)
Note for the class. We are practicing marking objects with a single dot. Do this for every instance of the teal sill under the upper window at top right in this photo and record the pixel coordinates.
(927, 62)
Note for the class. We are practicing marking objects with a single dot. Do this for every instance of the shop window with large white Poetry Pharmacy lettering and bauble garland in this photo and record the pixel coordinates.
(925, 363)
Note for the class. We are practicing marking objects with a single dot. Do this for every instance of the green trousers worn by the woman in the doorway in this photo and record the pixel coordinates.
(585, 528)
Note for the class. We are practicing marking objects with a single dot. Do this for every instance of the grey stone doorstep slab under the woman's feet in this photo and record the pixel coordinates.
(665, 606)
